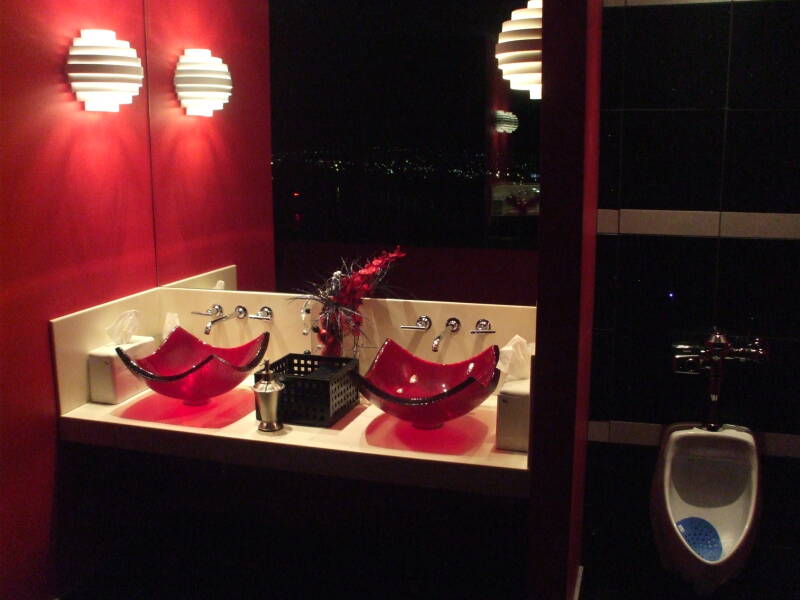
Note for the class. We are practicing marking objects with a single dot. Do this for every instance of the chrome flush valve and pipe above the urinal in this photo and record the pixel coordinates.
(710, 358)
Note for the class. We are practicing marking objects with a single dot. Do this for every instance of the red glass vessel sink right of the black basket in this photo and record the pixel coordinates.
(428, 394)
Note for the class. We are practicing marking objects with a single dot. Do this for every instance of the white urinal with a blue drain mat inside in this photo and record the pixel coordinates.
(704, 502)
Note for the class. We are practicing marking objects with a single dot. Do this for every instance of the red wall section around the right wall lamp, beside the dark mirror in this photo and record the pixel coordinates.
(212, 178)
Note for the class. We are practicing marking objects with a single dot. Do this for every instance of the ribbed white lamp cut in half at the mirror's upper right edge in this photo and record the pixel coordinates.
(519, 49)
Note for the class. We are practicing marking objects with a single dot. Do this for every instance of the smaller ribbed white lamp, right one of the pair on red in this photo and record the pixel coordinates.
(202, 82)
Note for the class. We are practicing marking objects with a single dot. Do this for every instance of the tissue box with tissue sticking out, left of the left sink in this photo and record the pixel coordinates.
(110, 382)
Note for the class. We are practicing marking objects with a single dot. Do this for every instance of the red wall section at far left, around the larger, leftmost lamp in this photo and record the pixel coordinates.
(77, 230)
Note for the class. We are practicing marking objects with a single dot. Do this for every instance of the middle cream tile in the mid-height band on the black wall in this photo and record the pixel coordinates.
(669, 222)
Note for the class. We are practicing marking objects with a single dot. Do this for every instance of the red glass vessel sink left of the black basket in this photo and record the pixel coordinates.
(187, 368)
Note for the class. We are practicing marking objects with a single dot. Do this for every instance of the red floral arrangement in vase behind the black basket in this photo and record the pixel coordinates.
(341, 296)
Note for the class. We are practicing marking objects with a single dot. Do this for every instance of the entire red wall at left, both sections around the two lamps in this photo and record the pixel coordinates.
(77, 226)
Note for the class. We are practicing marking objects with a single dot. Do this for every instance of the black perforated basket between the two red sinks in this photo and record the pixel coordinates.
(319, 390)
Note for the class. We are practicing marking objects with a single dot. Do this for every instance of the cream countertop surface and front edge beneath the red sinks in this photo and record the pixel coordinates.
(365, 444)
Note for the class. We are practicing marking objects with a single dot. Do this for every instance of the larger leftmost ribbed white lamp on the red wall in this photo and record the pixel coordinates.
(103, 71)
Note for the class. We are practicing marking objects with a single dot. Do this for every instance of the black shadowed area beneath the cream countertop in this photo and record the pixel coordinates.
(164, 528)
